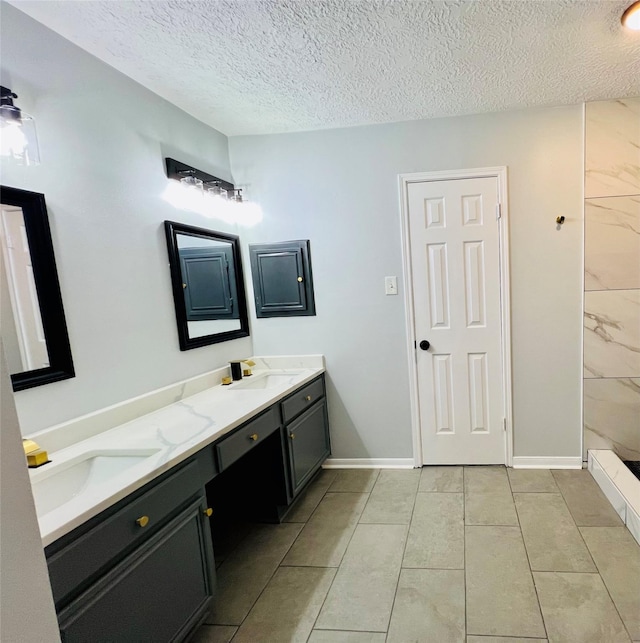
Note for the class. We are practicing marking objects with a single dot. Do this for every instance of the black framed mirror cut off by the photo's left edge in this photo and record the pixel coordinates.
(37, 343)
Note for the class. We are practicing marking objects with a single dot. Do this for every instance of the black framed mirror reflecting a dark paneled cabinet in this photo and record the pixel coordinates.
(208, 285)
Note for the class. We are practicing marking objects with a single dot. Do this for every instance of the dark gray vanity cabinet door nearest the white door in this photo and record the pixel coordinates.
(308, 439)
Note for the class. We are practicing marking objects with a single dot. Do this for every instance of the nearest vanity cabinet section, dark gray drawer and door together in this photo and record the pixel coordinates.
(141, 571)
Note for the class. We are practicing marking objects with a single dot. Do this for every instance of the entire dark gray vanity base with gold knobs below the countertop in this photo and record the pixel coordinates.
(143, 569)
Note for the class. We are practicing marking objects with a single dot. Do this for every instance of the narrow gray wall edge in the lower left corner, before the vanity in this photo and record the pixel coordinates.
(27, 613)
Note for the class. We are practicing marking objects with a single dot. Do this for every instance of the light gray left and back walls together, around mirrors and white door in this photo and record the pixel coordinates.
(103, 139)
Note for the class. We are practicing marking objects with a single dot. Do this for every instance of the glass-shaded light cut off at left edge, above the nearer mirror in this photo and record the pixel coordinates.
(18, 138)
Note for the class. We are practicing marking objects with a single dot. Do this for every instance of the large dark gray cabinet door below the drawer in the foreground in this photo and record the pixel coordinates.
(158, 593)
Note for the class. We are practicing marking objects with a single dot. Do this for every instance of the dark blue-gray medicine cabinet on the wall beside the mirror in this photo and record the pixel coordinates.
(282, 279)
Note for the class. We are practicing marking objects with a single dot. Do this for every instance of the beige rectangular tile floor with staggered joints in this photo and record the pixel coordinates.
(442, 554)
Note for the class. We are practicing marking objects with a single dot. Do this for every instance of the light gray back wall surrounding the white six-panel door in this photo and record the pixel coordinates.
(339, 188)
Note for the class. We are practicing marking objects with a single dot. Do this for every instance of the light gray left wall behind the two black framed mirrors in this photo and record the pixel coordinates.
(103, 139)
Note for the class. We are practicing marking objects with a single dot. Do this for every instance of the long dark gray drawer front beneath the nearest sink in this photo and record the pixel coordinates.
(89, 553)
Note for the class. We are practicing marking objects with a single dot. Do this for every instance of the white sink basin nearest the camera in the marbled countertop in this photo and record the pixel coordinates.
(60, 484)
